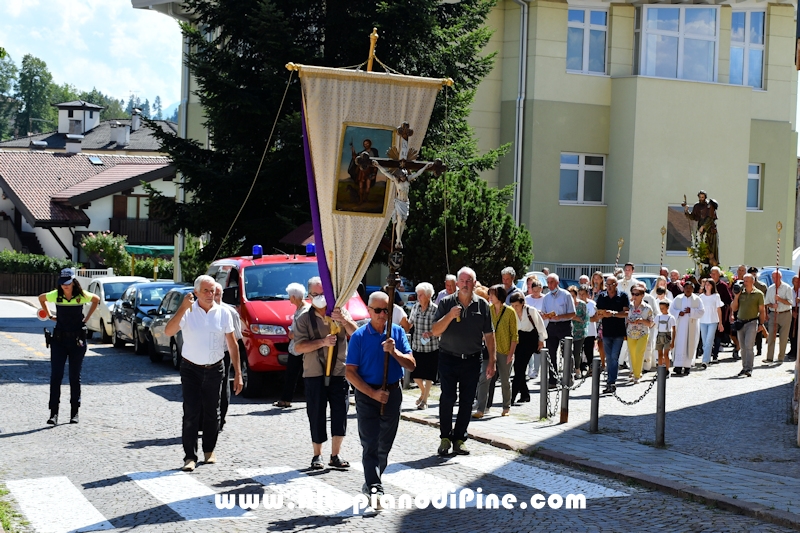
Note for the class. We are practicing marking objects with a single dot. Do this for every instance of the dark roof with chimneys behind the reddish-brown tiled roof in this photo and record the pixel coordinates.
(99, 138)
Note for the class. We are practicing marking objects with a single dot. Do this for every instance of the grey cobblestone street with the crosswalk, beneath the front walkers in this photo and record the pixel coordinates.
(118, 467)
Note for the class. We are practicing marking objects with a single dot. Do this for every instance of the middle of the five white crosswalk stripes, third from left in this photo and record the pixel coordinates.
(296, 487)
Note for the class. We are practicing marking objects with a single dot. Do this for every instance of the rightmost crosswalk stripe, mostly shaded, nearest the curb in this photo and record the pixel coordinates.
(534, 477)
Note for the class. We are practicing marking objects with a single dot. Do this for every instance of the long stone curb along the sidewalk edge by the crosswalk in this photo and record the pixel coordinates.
(674, 488)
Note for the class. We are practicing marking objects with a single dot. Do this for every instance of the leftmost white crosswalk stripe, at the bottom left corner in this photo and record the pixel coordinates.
(55, 505)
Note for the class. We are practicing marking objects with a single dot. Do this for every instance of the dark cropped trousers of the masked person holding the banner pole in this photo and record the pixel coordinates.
(318, 397)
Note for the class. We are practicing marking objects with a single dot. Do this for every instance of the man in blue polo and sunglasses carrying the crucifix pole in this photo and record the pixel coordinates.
(364, 370)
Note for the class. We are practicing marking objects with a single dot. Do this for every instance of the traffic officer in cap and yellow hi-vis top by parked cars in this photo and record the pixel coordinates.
(69, 339)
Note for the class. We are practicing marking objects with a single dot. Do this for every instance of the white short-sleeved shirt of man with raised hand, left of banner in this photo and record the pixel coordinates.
(204, 334)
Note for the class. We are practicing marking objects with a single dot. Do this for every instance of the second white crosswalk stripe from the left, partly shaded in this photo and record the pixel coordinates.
(185, 495)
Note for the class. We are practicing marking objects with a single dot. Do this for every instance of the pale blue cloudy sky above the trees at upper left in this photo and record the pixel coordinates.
(97, 43)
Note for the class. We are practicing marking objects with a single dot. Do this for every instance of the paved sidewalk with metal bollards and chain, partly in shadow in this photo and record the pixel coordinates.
(728, 441)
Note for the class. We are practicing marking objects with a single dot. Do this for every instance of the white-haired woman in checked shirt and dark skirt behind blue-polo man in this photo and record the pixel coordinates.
(424, 346)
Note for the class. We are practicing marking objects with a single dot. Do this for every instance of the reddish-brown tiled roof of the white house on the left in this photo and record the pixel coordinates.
(32, 179)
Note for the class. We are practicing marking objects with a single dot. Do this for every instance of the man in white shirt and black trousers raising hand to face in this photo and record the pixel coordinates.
(207, 329)
